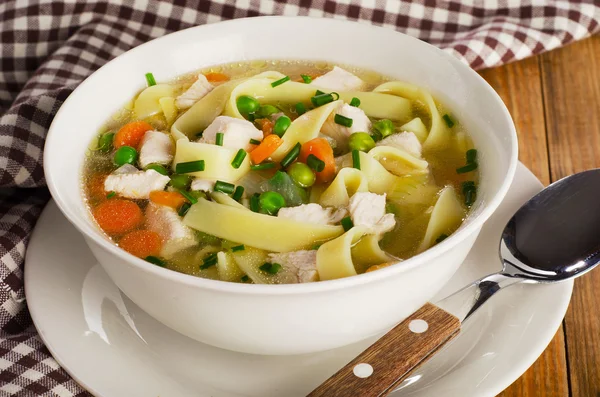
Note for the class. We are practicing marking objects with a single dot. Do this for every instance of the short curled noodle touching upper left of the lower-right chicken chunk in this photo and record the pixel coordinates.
(347, 182)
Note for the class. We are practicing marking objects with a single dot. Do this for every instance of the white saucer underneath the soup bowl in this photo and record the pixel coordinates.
(114, 349)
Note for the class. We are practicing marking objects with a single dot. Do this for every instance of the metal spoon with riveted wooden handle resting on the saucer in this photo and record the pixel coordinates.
(553, 237)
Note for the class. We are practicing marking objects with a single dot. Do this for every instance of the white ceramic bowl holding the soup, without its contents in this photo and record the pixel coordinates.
(283, 319)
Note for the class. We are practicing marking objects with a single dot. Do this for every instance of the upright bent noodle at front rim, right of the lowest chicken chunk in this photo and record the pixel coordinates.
(334, 258)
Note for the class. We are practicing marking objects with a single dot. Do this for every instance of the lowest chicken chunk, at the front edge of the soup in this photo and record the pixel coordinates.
(297, 266)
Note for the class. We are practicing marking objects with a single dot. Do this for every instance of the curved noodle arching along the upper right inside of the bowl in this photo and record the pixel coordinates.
(439, 135)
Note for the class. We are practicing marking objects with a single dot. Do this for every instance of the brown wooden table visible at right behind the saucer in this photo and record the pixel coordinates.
(554, 100)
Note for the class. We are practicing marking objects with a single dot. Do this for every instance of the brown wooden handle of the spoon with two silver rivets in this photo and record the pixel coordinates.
(377, 370)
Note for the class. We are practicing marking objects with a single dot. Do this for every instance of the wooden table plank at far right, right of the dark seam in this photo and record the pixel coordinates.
(571, 87)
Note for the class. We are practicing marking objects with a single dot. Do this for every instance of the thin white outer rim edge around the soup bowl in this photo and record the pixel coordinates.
(280, 289)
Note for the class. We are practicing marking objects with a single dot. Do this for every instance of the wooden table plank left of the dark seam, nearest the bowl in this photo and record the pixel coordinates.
(519, 86)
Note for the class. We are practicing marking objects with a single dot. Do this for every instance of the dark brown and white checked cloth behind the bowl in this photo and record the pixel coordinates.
(47, 47)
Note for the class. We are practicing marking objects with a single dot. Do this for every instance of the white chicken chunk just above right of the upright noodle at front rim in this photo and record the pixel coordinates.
(368, 209)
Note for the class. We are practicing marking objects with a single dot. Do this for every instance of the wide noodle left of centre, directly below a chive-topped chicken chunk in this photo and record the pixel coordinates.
(217, 160)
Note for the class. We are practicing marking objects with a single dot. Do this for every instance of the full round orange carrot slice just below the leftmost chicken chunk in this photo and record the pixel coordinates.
(118, 216)
